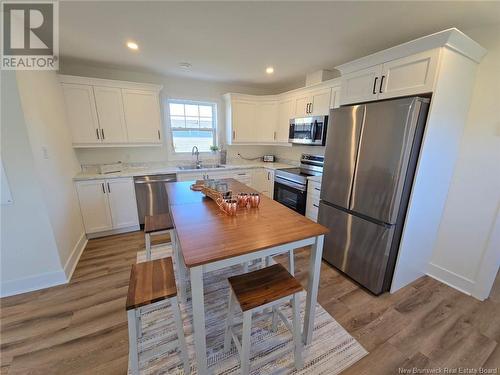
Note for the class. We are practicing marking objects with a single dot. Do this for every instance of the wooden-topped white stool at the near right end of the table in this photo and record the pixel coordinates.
(258, 290)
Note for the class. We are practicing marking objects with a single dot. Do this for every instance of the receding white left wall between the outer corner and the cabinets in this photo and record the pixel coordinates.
(55, 161)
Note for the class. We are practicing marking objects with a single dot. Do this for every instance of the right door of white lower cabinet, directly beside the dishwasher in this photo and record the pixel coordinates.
(122, 202)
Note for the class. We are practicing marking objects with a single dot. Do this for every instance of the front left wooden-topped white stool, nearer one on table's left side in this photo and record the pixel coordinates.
(152, 282)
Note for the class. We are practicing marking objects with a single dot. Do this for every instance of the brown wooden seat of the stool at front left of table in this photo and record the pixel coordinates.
(151, 282)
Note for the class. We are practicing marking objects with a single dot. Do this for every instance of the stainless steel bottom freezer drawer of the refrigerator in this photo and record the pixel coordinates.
(357, 247)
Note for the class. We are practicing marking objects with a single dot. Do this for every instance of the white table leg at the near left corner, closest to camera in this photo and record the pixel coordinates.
(200, 344)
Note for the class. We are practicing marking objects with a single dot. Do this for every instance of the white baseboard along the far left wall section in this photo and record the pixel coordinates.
(29, 284)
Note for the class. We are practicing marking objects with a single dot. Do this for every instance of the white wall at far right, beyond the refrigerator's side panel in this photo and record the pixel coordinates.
(464, 250)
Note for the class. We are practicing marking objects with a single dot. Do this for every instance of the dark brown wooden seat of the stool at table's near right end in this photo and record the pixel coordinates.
(263, 286)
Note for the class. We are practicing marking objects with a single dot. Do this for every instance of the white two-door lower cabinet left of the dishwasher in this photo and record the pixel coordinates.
(107, 204)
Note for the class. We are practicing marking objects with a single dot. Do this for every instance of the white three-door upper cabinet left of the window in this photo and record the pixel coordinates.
(106, 113)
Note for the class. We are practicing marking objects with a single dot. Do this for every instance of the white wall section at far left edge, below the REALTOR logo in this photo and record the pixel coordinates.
(29, 255)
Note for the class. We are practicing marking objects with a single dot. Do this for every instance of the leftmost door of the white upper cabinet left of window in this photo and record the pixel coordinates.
(81, 113)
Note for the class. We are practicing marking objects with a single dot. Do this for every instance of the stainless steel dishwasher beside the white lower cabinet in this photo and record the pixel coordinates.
(151, 194)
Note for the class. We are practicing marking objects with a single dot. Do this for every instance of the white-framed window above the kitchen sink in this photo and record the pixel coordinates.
(192, 124)
